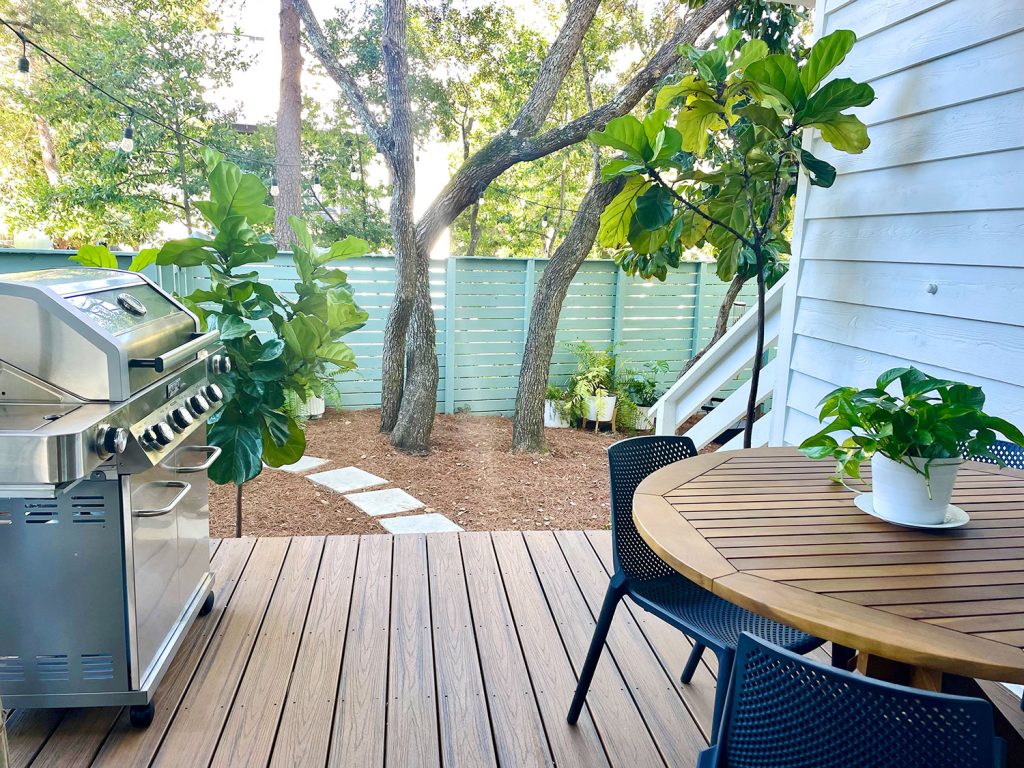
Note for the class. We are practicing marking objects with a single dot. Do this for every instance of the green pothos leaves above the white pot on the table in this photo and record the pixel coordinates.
(932, 419)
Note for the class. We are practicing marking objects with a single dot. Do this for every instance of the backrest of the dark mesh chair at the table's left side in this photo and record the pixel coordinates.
(629, 462)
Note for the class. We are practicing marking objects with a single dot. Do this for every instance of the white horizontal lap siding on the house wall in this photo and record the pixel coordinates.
(937, 201)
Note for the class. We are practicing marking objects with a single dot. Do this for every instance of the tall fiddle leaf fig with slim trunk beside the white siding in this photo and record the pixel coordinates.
(713, 163)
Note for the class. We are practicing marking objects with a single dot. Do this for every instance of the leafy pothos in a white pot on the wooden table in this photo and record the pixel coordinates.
(915, 441)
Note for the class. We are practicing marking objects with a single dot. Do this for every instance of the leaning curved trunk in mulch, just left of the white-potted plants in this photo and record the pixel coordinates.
(528, 424)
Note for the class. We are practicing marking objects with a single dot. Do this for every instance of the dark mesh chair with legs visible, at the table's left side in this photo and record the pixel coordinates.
(656, 587)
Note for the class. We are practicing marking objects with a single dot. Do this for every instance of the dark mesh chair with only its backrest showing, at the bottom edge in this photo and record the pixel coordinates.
(789, 712)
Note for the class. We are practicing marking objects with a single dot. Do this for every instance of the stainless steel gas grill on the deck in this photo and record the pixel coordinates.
(105, 394)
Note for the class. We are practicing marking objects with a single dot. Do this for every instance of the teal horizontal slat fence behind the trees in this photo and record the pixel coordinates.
(482, 308)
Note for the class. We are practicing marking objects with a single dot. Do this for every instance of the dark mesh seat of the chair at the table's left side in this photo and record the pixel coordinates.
(693, 609)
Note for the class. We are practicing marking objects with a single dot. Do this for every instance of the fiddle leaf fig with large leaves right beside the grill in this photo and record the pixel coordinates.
(279, 346)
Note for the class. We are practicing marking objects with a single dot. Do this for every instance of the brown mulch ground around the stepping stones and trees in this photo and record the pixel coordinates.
(472, 477)
